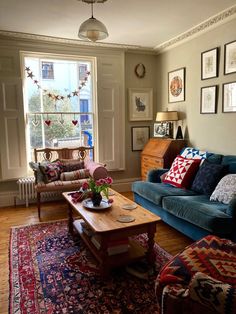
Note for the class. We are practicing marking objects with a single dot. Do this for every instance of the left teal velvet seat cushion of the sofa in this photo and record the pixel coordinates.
(154, 192)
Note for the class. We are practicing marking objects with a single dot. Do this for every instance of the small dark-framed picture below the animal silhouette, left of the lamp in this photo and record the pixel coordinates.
(140, 136)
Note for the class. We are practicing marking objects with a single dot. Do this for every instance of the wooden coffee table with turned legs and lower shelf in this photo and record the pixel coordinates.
(104, 223)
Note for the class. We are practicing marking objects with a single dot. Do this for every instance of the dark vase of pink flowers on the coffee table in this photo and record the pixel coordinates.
(94, 188)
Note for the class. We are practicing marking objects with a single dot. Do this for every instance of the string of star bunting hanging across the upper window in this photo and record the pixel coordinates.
(57, 96)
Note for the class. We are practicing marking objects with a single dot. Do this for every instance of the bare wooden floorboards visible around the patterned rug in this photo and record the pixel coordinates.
(168, 238)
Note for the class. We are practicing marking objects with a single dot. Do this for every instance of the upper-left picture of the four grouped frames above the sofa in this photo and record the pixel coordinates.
(209, 64)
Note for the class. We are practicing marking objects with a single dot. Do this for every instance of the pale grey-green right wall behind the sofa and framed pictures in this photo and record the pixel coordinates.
(213, 132)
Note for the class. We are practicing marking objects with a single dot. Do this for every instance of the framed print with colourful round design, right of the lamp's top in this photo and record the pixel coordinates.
(176, 85)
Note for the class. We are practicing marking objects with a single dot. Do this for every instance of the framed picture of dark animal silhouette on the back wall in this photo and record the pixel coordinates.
(140, 104)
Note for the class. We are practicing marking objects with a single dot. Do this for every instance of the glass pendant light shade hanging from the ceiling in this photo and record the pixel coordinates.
(93, 30)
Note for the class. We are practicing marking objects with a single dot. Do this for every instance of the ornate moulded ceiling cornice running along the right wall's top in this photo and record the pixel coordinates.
(198, 30)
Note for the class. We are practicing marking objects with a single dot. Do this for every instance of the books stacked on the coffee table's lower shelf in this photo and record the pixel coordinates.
(114, 246)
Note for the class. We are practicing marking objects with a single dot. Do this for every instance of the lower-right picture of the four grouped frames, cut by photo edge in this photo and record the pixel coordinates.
(229, 97)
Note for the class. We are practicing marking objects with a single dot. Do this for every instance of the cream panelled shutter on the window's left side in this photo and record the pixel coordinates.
(13, 159)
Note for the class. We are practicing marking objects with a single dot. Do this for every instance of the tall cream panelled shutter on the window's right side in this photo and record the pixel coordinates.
(111, 119)
